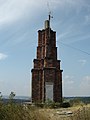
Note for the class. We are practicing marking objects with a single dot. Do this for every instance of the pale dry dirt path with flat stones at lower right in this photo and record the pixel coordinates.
(72, 113)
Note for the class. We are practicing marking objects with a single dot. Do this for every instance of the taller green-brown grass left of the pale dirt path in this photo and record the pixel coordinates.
(20, 112)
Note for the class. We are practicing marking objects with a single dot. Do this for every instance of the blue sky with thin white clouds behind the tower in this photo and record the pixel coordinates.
(19, 22)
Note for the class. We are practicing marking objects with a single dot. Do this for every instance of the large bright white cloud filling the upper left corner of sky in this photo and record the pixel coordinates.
(11, 11)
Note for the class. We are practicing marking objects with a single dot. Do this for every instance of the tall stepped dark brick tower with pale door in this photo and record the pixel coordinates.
(46, 74)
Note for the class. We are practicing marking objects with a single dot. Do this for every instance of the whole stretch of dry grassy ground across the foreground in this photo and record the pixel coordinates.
(13, 111)
